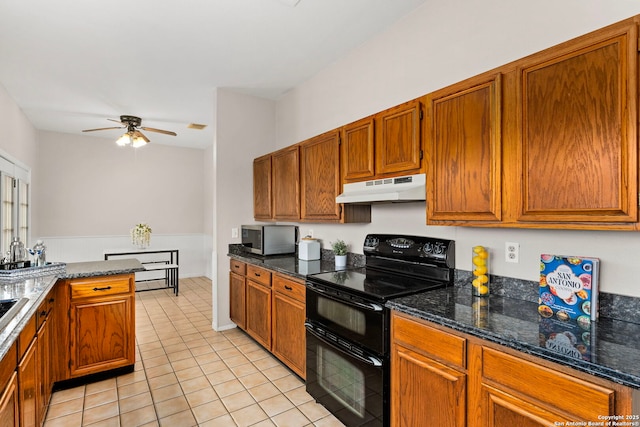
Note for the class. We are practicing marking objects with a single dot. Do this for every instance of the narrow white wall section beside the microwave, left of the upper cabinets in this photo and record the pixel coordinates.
(245, 129)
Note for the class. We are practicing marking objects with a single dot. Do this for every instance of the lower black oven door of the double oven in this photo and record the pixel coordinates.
(350, 382)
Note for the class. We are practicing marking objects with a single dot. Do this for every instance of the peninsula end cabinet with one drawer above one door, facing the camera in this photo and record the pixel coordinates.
(101, 324)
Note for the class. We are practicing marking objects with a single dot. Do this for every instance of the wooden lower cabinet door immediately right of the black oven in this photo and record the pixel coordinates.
(423, 389)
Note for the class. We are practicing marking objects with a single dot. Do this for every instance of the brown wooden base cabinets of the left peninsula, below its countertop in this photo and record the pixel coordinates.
(83, 326)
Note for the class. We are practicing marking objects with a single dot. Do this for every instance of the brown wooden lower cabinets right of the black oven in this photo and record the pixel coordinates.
(445, 378)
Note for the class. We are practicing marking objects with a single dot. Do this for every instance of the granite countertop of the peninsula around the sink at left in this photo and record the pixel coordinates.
(36, 287)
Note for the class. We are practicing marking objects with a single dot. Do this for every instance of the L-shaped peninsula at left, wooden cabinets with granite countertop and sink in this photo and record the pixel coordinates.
(42, 346)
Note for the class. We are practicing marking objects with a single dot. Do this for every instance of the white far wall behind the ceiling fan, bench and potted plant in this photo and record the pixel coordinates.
(91, 192)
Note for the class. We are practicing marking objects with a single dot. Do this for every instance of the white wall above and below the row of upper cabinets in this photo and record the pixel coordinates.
(442, 42)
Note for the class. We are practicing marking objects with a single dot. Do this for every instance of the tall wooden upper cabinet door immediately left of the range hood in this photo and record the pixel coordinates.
(320, 177)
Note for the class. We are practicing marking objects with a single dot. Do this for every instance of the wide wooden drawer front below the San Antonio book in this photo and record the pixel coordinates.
(547, 385)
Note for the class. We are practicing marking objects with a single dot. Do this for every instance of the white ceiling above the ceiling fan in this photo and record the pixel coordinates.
(72, 64)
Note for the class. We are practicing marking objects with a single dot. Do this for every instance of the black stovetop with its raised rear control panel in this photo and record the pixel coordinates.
(396, 265)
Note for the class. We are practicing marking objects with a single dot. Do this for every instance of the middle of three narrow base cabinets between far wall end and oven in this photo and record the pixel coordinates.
(259, 305)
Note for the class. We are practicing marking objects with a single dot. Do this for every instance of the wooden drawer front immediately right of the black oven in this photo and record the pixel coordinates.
(443, 346)
